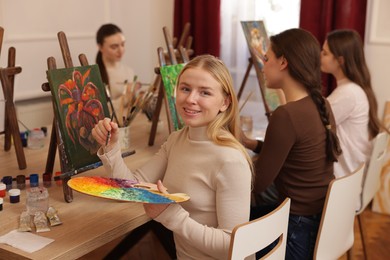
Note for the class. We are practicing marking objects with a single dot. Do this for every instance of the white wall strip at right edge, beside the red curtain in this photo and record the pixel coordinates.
(377, 49)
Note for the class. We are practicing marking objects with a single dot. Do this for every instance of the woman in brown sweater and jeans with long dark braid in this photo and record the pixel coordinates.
(300, 143)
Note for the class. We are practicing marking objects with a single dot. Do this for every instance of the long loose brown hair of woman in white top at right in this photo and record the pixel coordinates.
(348, 45)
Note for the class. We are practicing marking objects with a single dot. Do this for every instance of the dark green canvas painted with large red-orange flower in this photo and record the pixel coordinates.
(79, 103)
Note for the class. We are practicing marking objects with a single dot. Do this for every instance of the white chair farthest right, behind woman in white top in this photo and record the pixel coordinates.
(371, 179)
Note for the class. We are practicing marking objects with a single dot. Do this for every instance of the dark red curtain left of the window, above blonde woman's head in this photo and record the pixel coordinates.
(204, 16)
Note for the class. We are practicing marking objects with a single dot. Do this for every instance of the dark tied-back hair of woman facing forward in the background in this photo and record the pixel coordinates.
(104, 31)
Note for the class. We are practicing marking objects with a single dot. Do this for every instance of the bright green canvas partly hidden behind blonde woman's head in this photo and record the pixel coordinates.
(169, 76)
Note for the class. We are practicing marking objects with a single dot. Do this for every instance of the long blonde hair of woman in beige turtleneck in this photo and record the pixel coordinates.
(224, 129)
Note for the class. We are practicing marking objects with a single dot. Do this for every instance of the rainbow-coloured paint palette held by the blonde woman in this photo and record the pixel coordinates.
(124, 190)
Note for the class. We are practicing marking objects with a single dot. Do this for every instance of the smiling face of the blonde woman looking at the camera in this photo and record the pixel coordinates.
(199, 97)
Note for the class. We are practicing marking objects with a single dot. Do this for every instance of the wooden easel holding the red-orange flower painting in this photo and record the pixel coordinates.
(55, 138)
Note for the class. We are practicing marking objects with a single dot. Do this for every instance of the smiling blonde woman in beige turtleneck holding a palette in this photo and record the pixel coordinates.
(204, 160)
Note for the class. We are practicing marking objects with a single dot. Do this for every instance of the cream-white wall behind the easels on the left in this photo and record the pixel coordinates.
(32, 27)
